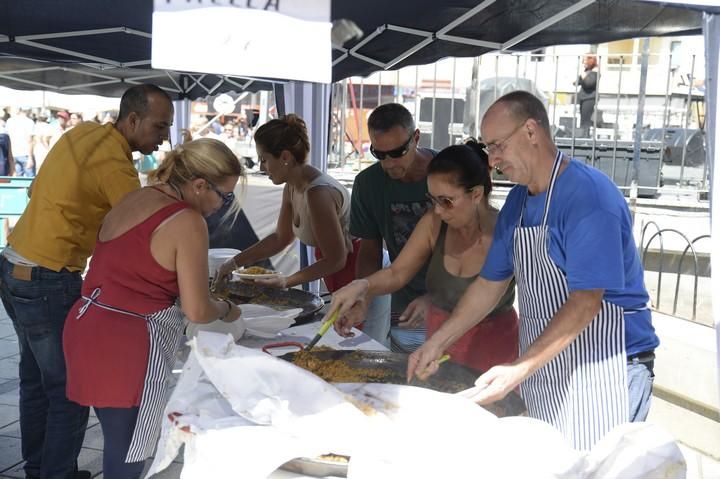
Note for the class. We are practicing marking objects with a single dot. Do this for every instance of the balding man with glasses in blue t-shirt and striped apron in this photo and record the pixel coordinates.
(565, 233)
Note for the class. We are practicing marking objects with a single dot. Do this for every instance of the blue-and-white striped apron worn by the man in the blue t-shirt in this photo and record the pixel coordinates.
(583, 391)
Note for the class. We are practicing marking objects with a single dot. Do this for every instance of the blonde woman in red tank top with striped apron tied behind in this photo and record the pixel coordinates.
(120, 338)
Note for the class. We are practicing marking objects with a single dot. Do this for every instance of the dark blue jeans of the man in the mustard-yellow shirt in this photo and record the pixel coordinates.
(51, 426)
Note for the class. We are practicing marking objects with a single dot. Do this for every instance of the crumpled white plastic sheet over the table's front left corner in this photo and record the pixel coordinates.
(246, 409)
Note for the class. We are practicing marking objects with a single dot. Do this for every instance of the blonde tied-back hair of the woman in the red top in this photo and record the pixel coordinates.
(205, 158)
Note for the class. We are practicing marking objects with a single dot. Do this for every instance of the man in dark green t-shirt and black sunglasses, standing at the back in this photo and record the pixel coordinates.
(388, 199)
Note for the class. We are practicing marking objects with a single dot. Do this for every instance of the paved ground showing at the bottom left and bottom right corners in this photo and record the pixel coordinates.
(699, 466)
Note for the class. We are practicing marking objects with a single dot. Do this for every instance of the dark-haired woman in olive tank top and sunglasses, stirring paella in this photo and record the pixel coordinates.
(455, 236)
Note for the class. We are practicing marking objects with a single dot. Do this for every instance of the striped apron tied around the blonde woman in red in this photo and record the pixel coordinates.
(164, 329)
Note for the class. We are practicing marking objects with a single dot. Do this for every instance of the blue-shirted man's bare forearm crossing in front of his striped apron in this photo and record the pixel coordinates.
(571, 319)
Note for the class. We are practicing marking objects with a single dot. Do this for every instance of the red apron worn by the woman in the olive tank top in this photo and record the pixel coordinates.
(493, 341)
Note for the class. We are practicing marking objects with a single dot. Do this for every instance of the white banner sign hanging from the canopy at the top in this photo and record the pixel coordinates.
(282, 39)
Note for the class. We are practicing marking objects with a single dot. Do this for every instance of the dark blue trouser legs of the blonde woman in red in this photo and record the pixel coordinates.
(118, 425)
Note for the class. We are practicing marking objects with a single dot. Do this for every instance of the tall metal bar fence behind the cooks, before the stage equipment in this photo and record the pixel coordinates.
(449, 97)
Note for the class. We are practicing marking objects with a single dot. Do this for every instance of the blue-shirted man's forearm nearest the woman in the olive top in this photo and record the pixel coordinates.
(478, 301)
